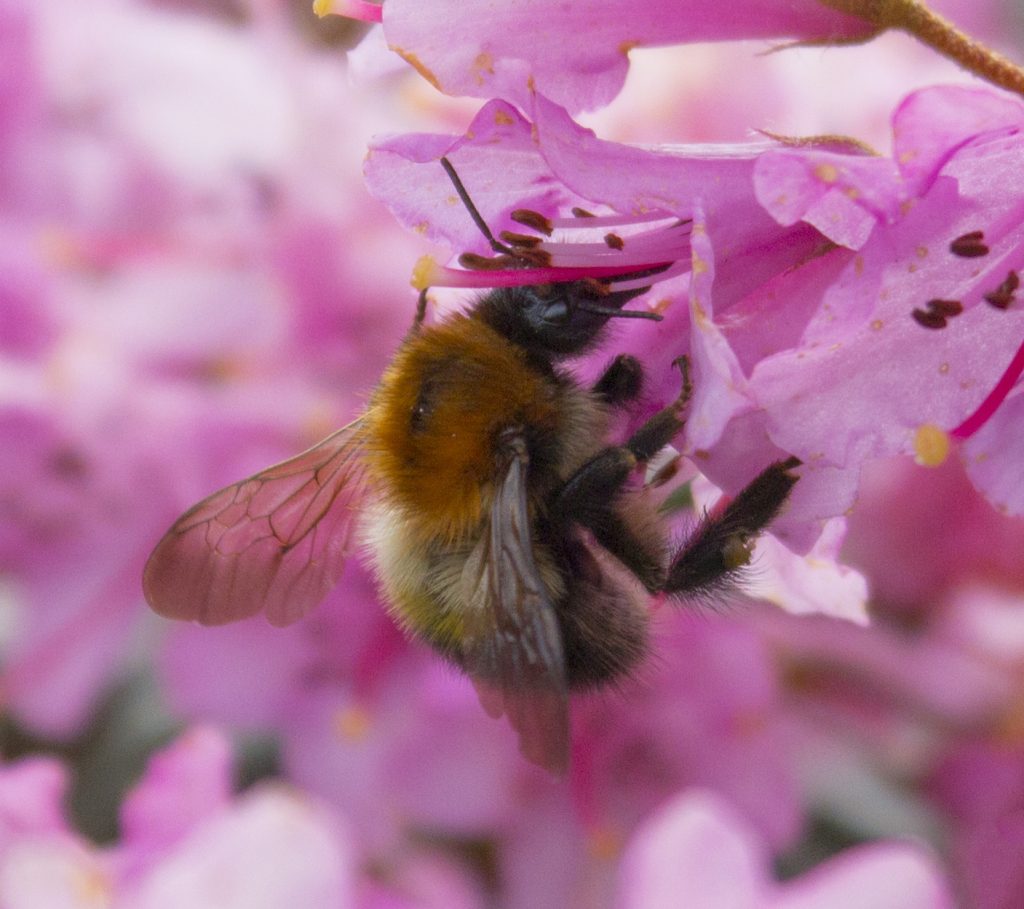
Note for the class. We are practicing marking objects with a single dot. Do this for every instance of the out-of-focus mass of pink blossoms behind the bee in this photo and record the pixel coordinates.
(195, 284)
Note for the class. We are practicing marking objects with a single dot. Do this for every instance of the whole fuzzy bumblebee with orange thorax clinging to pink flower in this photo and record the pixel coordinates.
(504, 530)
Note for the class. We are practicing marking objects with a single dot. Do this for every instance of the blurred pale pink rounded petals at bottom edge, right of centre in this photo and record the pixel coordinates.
(698, 852)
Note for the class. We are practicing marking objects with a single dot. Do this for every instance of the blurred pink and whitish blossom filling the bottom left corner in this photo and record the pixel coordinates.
(187, 841)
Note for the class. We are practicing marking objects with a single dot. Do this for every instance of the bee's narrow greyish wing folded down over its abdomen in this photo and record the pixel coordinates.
(511, 640)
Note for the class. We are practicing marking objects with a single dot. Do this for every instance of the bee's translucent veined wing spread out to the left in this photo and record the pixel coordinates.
(275, 543)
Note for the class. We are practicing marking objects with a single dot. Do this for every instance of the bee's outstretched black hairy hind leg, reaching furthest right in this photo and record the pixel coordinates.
(722, 544)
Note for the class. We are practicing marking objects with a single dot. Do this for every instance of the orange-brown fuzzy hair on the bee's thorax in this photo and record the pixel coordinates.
(436, 417)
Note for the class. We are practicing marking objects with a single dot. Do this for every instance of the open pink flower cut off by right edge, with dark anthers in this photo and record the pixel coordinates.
(879, 369)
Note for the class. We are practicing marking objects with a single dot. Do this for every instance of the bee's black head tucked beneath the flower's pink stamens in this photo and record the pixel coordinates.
(556, 320)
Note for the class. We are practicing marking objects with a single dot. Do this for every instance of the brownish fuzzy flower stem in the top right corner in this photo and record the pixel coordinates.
(916, 19)
